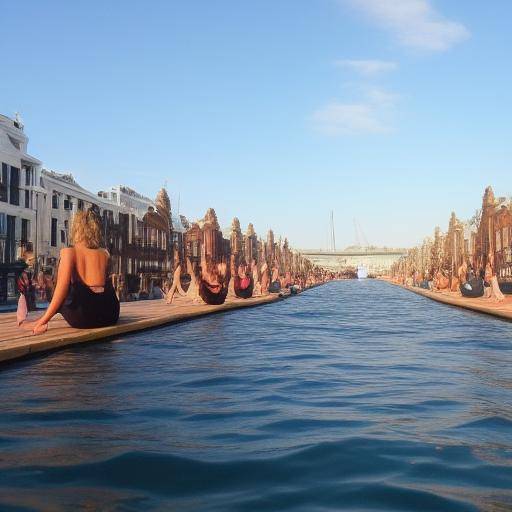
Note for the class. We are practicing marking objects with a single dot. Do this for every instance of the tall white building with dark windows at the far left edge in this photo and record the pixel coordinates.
(19, 200)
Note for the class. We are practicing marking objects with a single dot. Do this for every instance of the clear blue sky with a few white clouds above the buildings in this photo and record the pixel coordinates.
(392, 112)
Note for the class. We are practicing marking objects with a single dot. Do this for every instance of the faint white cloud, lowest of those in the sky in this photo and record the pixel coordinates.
(370, 116)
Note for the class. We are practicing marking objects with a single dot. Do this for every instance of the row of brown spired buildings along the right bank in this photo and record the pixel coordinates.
(485, 239)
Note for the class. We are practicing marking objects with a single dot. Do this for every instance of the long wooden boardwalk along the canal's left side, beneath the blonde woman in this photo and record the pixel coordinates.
(24, 346)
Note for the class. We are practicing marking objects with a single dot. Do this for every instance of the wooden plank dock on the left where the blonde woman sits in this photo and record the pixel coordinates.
(16, 342)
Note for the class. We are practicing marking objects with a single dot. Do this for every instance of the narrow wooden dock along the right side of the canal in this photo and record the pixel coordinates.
(502, 310)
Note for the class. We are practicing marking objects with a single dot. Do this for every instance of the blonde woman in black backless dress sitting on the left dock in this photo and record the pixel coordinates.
(84, 294)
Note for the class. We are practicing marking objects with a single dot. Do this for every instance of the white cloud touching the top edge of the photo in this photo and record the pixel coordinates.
(414, 23)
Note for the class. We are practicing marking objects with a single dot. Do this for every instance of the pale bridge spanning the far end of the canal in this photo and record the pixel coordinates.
(376, 259)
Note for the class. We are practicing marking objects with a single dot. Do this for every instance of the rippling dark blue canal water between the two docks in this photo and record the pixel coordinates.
(351, 396)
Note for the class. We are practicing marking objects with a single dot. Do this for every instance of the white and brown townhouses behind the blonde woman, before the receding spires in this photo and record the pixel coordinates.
(36, 210)
